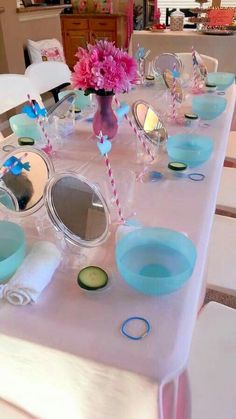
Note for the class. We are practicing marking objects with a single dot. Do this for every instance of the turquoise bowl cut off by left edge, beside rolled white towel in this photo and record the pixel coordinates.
(12, 249)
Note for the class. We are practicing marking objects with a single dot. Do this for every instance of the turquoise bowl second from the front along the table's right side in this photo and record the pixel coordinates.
(191, 149)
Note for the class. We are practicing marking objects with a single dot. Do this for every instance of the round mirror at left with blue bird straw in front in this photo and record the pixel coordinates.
(24, 173)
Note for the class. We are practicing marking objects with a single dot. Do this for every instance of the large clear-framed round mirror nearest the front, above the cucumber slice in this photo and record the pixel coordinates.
(77, 209)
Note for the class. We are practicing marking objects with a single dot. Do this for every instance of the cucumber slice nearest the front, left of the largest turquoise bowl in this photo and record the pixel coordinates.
(92, 278)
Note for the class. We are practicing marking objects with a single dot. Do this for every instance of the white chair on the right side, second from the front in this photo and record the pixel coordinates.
(221, 268)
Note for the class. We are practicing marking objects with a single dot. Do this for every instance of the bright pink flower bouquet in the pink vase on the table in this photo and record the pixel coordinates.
(104, 69)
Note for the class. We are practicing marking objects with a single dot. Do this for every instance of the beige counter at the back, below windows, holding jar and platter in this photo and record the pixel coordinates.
(216, 46)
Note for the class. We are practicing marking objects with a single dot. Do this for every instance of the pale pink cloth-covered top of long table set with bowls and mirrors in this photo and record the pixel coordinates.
(67, 319)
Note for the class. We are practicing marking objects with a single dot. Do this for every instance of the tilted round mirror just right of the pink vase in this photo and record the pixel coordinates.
(148, 120)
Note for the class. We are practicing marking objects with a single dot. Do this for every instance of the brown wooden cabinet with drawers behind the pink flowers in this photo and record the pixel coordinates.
(78, 30)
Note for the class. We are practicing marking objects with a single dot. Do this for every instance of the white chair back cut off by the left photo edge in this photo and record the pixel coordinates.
(14, 89)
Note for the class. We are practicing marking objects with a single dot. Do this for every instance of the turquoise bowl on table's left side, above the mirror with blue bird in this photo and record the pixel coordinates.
(23, 126)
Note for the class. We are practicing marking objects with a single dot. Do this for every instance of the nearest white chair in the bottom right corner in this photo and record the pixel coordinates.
(212, 364)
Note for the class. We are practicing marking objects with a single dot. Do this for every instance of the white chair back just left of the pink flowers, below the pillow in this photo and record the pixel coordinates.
(49, 76)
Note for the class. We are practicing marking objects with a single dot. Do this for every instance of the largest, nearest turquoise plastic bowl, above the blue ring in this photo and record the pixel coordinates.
(155, 261)
